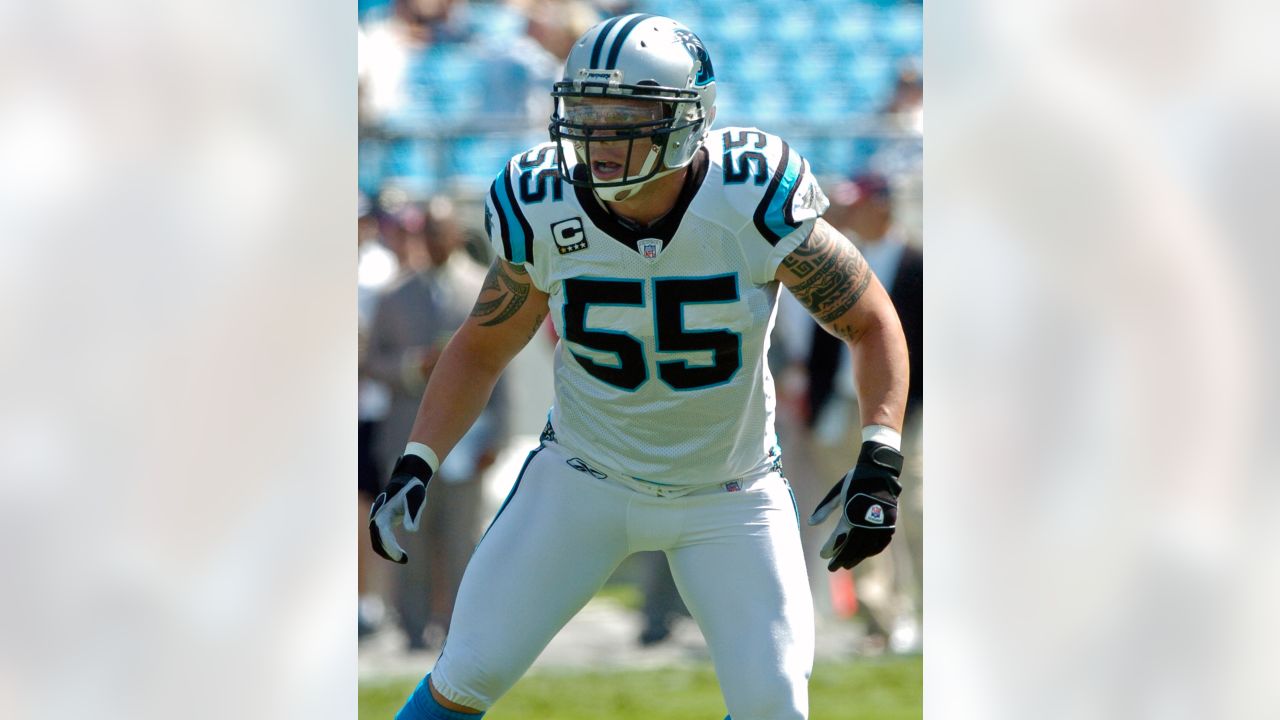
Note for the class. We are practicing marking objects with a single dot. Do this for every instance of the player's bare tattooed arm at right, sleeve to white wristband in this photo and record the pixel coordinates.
(830, 277)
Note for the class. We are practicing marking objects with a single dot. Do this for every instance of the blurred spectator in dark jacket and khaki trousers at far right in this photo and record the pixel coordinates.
(889, 586)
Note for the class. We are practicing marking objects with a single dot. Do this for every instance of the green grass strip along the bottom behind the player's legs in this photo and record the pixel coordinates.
(865, 690)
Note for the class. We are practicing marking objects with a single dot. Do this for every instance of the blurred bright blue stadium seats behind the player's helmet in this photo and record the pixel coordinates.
(808, 70)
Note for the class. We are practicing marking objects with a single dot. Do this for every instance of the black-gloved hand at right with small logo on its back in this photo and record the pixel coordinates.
(868, 500)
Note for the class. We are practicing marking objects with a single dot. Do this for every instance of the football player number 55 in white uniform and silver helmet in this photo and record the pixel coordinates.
(657, 245)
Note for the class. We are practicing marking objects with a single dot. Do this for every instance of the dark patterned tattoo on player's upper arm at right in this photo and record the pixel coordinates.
(833, 275)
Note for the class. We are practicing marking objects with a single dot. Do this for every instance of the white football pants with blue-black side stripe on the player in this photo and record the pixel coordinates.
(734, 552)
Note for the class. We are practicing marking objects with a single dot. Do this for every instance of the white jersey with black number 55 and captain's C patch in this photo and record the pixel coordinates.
(661, 371)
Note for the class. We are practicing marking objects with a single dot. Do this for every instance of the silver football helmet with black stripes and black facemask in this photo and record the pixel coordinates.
(634, 58)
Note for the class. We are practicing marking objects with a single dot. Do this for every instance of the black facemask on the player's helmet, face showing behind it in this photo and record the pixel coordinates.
(610, 127)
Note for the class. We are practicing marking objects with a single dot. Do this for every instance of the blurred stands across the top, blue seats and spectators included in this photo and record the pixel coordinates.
(452, 89)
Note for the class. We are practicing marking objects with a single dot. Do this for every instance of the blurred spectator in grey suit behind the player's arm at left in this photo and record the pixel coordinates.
(412, 326)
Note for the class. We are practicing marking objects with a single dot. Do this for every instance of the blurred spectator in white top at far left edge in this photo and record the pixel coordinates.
(377, 270)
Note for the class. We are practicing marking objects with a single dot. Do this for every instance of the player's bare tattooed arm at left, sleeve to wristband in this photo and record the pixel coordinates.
(506, 316)
